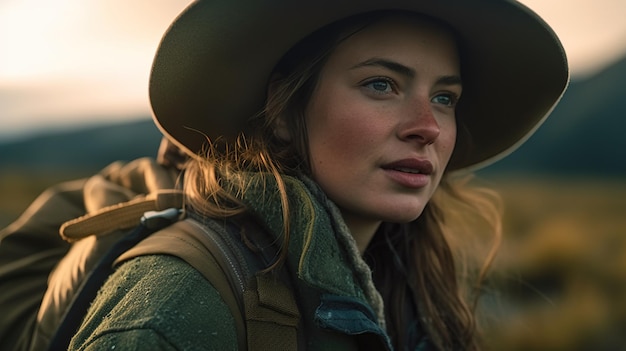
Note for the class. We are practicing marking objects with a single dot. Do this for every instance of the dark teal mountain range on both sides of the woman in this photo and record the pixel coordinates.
(585, 135)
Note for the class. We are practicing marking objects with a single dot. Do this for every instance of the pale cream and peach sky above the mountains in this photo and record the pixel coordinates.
(67, 63)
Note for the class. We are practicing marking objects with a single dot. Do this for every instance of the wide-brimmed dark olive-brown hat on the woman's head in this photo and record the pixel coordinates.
(211, 70)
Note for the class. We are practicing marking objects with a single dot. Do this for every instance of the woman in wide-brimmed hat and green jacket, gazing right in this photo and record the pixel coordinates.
(338, 127)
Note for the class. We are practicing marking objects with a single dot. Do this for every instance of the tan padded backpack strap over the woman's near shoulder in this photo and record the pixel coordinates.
(264, 308)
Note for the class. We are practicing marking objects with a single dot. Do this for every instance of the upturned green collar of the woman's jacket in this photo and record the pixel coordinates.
(321, 249)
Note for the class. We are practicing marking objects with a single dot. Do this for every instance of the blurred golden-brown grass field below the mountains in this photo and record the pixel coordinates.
(560, 281)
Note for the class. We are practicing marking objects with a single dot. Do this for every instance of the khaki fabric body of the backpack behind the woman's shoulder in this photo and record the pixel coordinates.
(31, 247)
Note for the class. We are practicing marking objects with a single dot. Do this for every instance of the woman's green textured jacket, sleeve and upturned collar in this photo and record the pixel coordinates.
(160, 302)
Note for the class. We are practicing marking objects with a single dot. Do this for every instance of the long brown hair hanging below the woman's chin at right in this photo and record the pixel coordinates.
(434, 264)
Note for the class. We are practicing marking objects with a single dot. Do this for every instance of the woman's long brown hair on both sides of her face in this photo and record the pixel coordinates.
(416, 265)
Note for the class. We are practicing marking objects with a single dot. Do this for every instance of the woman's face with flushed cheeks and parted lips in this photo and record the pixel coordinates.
(381, 122)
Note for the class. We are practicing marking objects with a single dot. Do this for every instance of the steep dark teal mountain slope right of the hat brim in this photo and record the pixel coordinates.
(585, 135)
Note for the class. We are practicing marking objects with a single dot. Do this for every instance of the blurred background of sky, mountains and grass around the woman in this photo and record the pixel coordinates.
(73, 98)
